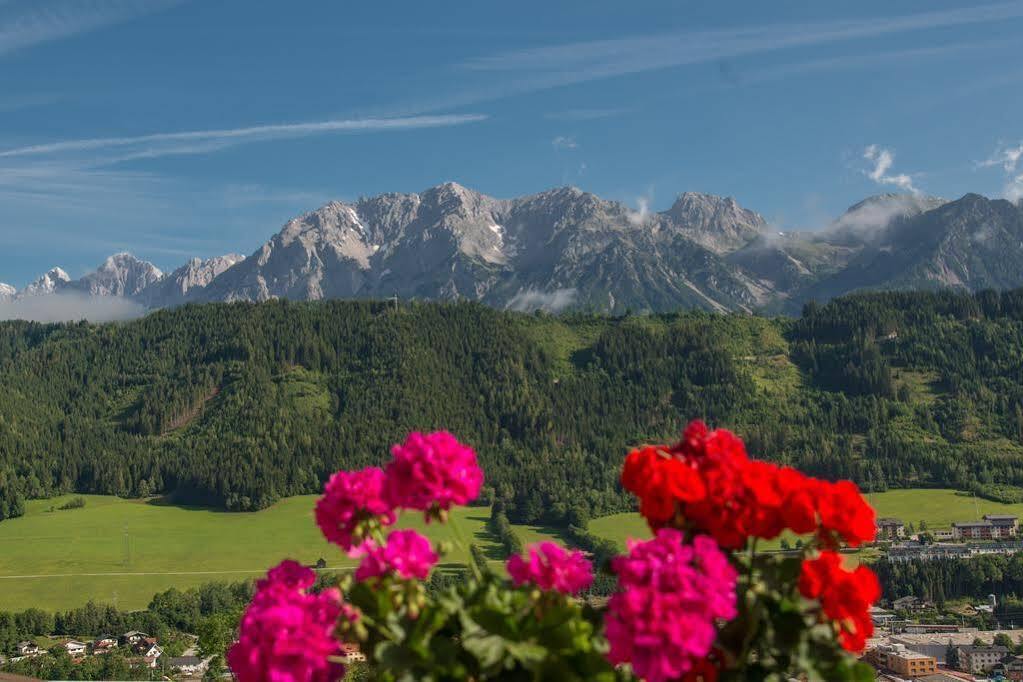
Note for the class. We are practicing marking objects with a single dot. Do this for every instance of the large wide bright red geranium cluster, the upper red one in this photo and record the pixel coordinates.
(708, 483)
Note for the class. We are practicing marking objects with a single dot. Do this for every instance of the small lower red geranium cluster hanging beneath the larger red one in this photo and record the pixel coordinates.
(846, 597)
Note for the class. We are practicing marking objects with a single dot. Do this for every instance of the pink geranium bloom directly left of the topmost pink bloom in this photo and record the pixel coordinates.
(351, 498)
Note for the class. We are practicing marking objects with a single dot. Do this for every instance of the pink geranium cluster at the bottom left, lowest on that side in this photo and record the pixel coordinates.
(287, 634)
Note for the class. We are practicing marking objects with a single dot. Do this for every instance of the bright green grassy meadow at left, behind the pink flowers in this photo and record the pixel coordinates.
(124, 552)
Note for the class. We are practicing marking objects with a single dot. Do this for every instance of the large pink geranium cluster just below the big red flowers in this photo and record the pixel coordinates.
(662, 620)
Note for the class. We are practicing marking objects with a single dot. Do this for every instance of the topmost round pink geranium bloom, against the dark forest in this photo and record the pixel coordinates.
(433, 471)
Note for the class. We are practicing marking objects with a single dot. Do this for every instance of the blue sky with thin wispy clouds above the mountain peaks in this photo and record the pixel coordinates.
(174, 129)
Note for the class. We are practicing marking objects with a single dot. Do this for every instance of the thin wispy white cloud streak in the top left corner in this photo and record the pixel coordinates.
(46, 21)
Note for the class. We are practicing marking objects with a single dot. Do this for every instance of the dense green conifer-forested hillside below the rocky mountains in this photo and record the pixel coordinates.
(238, 405)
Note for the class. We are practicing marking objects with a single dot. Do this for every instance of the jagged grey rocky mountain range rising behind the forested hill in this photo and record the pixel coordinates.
(569, 249)
